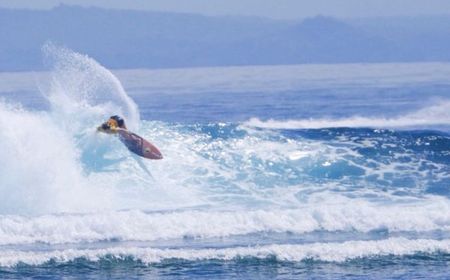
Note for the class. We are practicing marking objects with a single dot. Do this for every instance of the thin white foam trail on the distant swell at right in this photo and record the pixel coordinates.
(433, 116)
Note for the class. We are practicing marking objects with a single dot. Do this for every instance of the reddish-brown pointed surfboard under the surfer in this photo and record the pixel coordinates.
(139, 145)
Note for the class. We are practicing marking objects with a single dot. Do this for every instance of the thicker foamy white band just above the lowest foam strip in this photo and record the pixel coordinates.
(329, 213)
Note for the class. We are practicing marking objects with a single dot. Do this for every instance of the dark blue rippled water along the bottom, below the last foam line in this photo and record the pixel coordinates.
(415, 267)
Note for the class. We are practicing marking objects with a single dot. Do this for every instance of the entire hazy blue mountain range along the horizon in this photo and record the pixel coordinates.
(133, 39)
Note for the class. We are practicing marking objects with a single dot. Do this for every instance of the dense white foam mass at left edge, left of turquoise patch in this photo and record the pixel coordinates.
(40, 171)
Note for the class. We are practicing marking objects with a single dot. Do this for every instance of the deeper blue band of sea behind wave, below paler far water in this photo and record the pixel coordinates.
(236, 107)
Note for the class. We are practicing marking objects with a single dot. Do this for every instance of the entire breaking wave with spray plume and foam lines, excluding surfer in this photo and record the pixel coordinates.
(68, 187)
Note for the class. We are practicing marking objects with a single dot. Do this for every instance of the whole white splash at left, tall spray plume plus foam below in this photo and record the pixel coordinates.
(54, 161)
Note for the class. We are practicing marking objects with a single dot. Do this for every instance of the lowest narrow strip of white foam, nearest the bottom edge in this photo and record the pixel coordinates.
(330, 252)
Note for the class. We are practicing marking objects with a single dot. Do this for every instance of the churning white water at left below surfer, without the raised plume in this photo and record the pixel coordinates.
(46, 168)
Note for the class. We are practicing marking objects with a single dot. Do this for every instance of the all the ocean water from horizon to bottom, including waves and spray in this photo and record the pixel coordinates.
(309, 171)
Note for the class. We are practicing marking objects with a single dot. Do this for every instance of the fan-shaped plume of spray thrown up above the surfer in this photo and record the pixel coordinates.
(85, 92)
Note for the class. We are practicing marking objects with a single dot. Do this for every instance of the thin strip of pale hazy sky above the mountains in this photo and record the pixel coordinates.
(281, 9)
